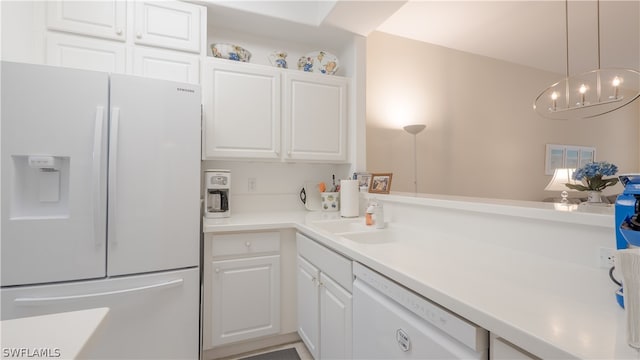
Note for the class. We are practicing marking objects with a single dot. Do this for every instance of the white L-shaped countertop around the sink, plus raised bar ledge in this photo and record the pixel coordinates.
(551, 308)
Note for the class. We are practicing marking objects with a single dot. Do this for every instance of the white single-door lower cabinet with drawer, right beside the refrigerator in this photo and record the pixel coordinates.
(242, 287)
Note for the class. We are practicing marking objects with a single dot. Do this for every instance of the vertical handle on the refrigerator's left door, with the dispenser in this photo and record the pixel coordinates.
(96, 181)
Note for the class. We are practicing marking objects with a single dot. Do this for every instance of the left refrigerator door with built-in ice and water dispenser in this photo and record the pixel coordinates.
(54, 142)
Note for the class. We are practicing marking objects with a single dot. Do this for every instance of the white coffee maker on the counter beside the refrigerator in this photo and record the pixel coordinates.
(217, 187)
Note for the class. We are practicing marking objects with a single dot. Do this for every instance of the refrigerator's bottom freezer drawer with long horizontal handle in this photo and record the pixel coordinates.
(150, 316)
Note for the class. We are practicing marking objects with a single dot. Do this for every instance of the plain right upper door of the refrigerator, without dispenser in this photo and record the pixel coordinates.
(154, 175)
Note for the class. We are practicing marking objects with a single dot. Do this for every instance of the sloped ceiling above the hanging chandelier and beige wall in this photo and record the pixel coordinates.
(531, 33)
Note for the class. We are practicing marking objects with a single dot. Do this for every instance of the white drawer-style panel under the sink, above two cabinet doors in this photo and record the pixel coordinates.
(329, 262)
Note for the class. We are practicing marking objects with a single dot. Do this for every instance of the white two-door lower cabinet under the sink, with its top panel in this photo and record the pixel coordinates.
(324, 300)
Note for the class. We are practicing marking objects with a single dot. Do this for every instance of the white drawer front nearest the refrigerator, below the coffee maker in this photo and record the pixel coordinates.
(245, 244)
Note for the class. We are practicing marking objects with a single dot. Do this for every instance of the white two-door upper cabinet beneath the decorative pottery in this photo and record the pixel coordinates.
(245, 114)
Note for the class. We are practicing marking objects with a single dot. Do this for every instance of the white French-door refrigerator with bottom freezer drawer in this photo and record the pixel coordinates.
(101, 206)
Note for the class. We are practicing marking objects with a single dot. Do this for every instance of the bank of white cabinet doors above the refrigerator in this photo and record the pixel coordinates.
(157, 39)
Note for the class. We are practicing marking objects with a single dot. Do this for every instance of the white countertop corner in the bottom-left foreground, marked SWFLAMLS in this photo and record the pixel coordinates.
(54, 336)
